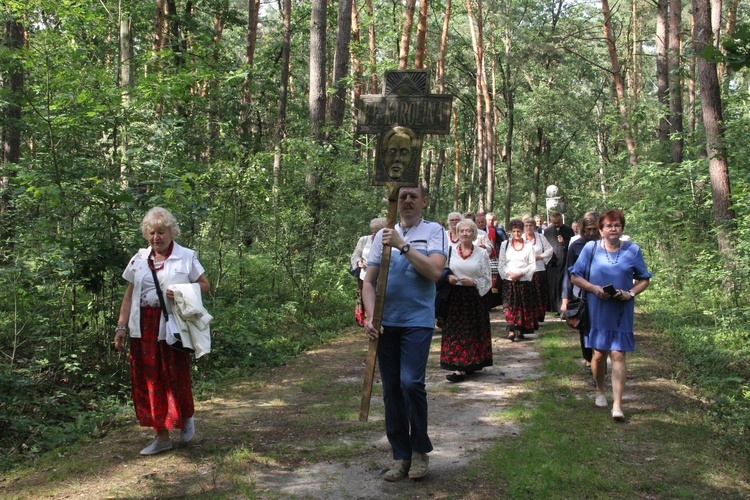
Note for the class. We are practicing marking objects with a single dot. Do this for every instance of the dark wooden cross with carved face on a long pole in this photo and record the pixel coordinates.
(401, 116)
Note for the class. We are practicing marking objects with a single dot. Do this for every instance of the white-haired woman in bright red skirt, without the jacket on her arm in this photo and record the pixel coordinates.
(160, 374)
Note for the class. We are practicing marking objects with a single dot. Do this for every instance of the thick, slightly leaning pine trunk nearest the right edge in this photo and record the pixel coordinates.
(713, 125)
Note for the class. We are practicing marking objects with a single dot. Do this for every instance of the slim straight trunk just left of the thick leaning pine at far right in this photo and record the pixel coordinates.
(675, 79)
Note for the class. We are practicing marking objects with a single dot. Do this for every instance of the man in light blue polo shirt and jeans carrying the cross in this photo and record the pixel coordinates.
(408, 320)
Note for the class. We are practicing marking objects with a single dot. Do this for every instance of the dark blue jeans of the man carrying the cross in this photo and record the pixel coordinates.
(403, 354)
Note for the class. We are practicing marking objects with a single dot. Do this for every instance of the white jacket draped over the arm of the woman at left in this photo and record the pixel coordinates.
(192, 317)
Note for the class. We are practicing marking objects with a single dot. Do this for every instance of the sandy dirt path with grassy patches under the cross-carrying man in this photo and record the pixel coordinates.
(294, 432)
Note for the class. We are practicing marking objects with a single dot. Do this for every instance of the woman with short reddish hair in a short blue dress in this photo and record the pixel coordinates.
(619, 266)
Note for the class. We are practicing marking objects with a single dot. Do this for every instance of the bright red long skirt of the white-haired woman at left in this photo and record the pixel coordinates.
(160, 377)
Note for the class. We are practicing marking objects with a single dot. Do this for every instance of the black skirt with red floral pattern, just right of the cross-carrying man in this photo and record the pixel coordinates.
(467, 343)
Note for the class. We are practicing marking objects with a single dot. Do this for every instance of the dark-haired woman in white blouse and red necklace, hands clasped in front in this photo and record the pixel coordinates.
(517, 263)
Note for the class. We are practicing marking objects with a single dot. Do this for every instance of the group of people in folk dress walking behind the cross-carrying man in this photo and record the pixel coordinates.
(522, 270)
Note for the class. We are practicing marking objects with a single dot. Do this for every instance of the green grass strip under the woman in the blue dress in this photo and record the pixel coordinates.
(668, 448)
